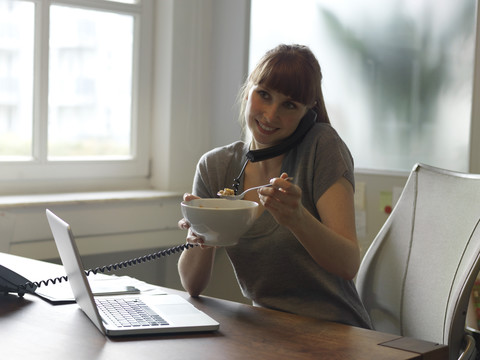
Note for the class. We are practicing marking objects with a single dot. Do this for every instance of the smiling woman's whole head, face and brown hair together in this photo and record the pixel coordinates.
(287, 75)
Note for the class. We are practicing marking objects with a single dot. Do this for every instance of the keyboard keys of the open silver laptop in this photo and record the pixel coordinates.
(128, 312)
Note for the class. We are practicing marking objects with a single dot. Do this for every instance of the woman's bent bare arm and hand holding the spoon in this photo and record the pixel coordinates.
(332, 243)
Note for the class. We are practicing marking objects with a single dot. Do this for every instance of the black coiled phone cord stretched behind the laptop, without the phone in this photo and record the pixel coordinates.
(107, 268)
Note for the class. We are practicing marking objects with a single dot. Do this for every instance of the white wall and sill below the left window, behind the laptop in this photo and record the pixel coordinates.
(101, 222)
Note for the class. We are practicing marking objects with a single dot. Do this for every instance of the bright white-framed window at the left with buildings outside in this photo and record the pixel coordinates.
(73, 103)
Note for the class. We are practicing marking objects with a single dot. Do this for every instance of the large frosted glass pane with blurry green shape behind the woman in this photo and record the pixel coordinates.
(398, 75)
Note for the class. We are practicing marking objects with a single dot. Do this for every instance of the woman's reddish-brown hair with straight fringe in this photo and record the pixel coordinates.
(292, 70)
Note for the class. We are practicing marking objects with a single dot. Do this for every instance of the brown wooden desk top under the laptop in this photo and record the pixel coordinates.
(33, 326)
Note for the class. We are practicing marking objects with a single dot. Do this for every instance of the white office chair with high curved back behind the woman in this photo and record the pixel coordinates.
(416, 278)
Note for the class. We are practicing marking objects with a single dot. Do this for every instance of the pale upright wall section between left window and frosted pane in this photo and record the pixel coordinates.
(201, 53)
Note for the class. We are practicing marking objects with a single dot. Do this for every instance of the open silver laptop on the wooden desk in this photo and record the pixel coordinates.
(142, 314)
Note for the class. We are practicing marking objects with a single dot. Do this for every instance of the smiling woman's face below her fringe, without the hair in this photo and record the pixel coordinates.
(271, 116)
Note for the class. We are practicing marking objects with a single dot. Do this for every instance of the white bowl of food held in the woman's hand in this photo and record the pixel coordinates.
(220, 222)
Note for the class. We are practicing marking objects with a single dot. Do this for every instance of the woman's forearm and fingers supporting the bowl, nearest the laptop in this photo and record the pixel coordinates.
(195, 265)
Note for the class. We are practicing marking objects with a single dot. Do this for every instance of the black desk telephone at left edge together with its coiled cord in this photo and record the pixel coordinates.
(11, 282)
